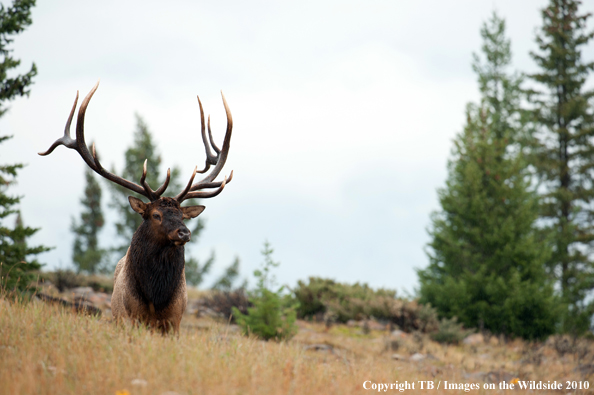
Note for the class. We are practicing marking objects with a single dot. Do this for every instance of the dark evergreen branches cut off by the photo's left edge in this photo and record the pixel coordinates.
(16, 261)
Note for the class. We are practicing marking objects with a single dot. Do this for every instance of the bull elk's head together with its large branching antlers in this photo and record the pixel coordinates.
(163, 214)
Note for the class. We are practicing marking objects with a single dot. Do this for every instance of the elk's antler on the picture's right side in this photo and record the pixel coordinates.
(218, 161)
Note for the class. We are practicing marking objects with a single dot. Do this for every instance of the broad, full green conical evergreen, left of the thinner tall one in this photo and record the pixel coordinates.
(486, 262)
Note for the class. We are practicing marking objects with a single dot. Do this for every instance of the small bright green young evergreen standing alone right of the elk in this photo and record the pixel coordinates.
(273, 313)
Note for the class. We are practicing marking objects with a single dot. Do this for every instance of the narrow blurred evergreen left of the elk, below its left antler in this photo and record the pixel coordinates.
(86, 254)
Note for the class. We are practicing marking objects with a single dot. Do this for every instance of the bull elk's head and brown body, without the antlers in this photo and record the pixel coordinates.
(149, 281)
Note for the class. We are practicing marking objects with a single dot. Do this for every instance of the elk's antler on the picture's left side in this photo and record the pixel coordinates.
(80, 146)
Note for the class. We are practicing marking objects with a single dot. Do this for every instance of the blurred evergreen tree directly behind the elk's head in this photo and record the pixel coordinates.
(128, 221)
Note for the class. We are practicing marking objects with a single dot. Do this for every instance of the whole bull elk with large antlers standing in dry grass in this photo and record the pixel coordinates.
(149, 281)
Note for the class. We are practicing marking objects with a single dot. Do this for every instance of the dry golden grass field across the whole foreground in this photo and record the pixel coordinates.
(48, 350)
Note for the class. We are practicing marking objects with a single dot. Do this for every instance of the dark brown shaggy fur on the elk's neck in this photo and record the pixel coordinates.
(155, 270)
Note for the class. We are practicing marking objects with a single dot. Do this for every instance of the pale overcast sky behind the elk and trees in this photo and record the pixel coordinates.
(344, 113)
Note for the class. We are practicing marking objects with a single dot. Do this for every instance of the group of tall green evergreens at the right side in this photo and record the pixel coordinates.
(510, 248)
